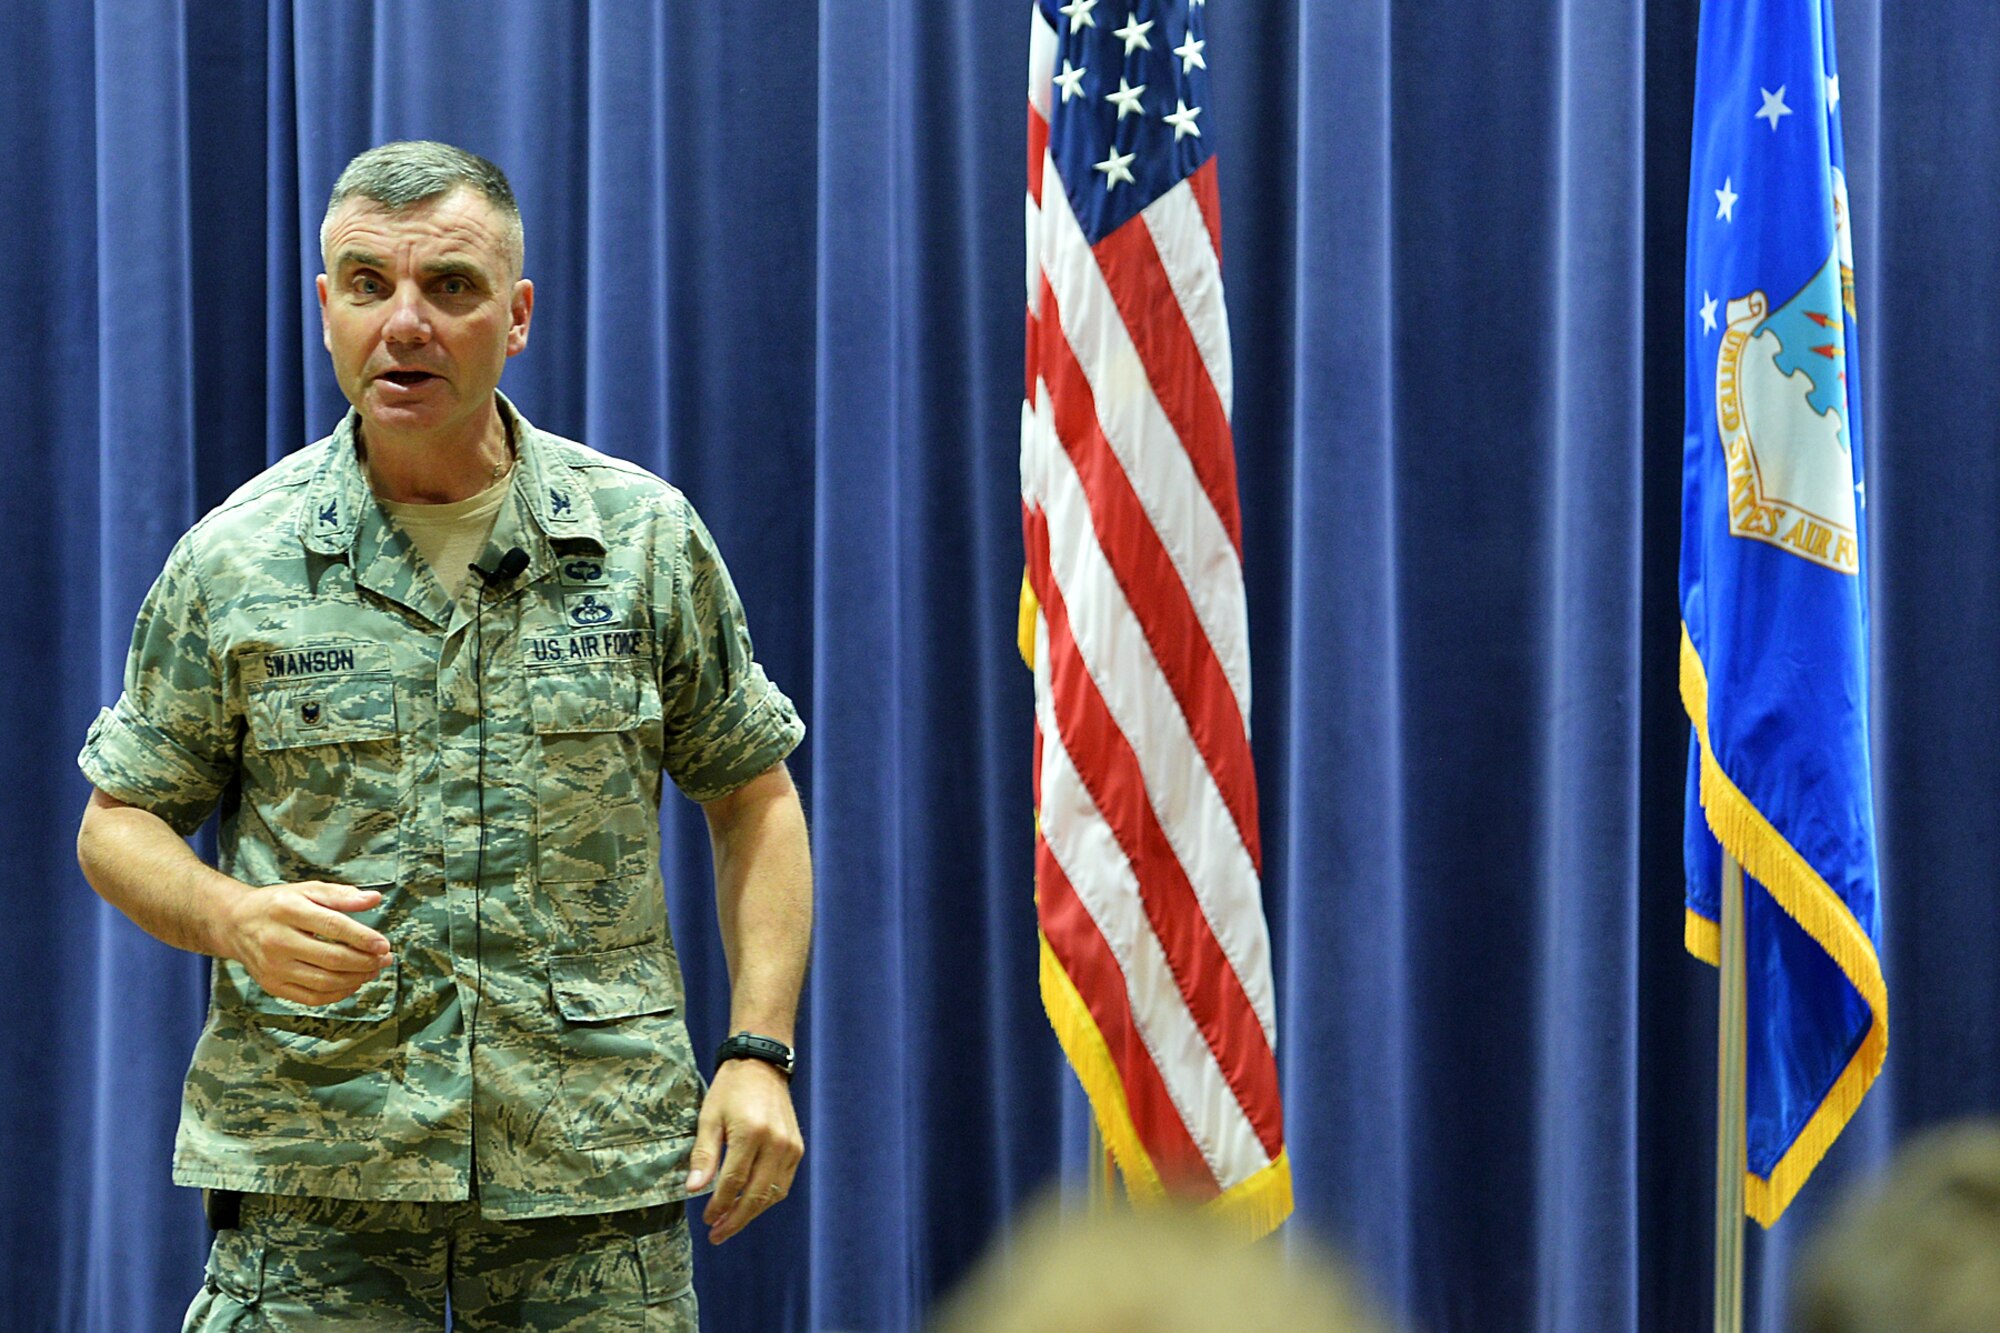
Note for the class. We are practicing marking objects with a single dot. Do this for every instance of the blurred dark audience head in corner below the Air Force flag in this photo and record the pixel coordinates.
(1917, 1250)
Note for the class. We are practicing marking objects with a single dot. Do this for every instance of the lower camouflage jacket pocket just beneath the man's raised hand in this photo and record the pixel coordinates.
(305, 1072)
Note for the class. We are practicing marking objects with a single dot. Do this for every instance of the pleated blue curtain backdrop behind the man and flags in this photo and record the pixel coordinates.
(779, 259)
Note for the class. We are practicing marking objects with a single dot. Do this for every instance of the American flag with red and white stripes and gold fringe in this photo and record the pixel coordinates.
(1155, 952)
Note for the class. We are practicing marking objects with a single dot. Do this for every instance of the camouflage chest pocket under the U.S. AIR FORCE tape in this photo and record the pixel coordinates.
(597, 792)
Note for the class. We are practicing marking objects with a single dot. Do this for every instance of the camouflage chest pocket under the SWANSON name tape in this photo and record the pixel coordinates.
(323, 770)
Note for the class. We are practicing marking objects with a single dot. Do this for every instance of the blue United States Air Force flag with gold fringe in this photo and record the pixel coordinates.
(1773, 581)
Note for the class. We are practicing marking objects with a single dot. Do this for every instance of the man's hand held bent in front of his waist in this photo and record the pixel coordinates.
(301, 944)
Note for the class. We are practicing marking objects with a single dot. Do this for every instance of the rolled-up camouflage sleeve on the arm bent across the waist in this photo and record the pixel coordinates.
(169, 744)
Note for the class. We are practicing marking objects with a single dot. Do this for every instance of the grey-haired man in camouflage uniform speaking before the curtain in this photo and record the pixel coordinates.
(445, 1050)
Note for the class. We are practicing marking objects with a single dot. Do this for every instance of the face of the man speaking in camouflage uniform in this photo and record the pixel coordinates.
(421, 311)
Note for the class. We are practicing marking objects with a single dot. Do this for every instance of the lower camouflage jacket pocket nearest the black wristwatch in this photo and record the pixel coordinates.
(627, 1066)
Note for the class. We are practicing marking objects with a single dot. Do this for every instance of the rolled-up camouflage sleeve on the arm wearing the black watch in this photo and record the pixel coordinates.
(725, 720)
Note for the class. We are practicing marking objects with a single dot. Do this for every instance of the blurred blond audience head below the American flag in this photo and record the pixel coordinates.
(1157, 1270)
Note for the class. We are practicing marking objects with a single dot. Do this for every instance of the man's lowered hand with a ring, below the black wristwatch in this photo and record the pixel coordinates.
(751, 1126)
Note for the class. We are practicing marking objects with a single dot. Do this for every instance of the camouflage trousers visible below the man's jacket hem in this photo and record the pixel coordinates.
(299, 1266)
